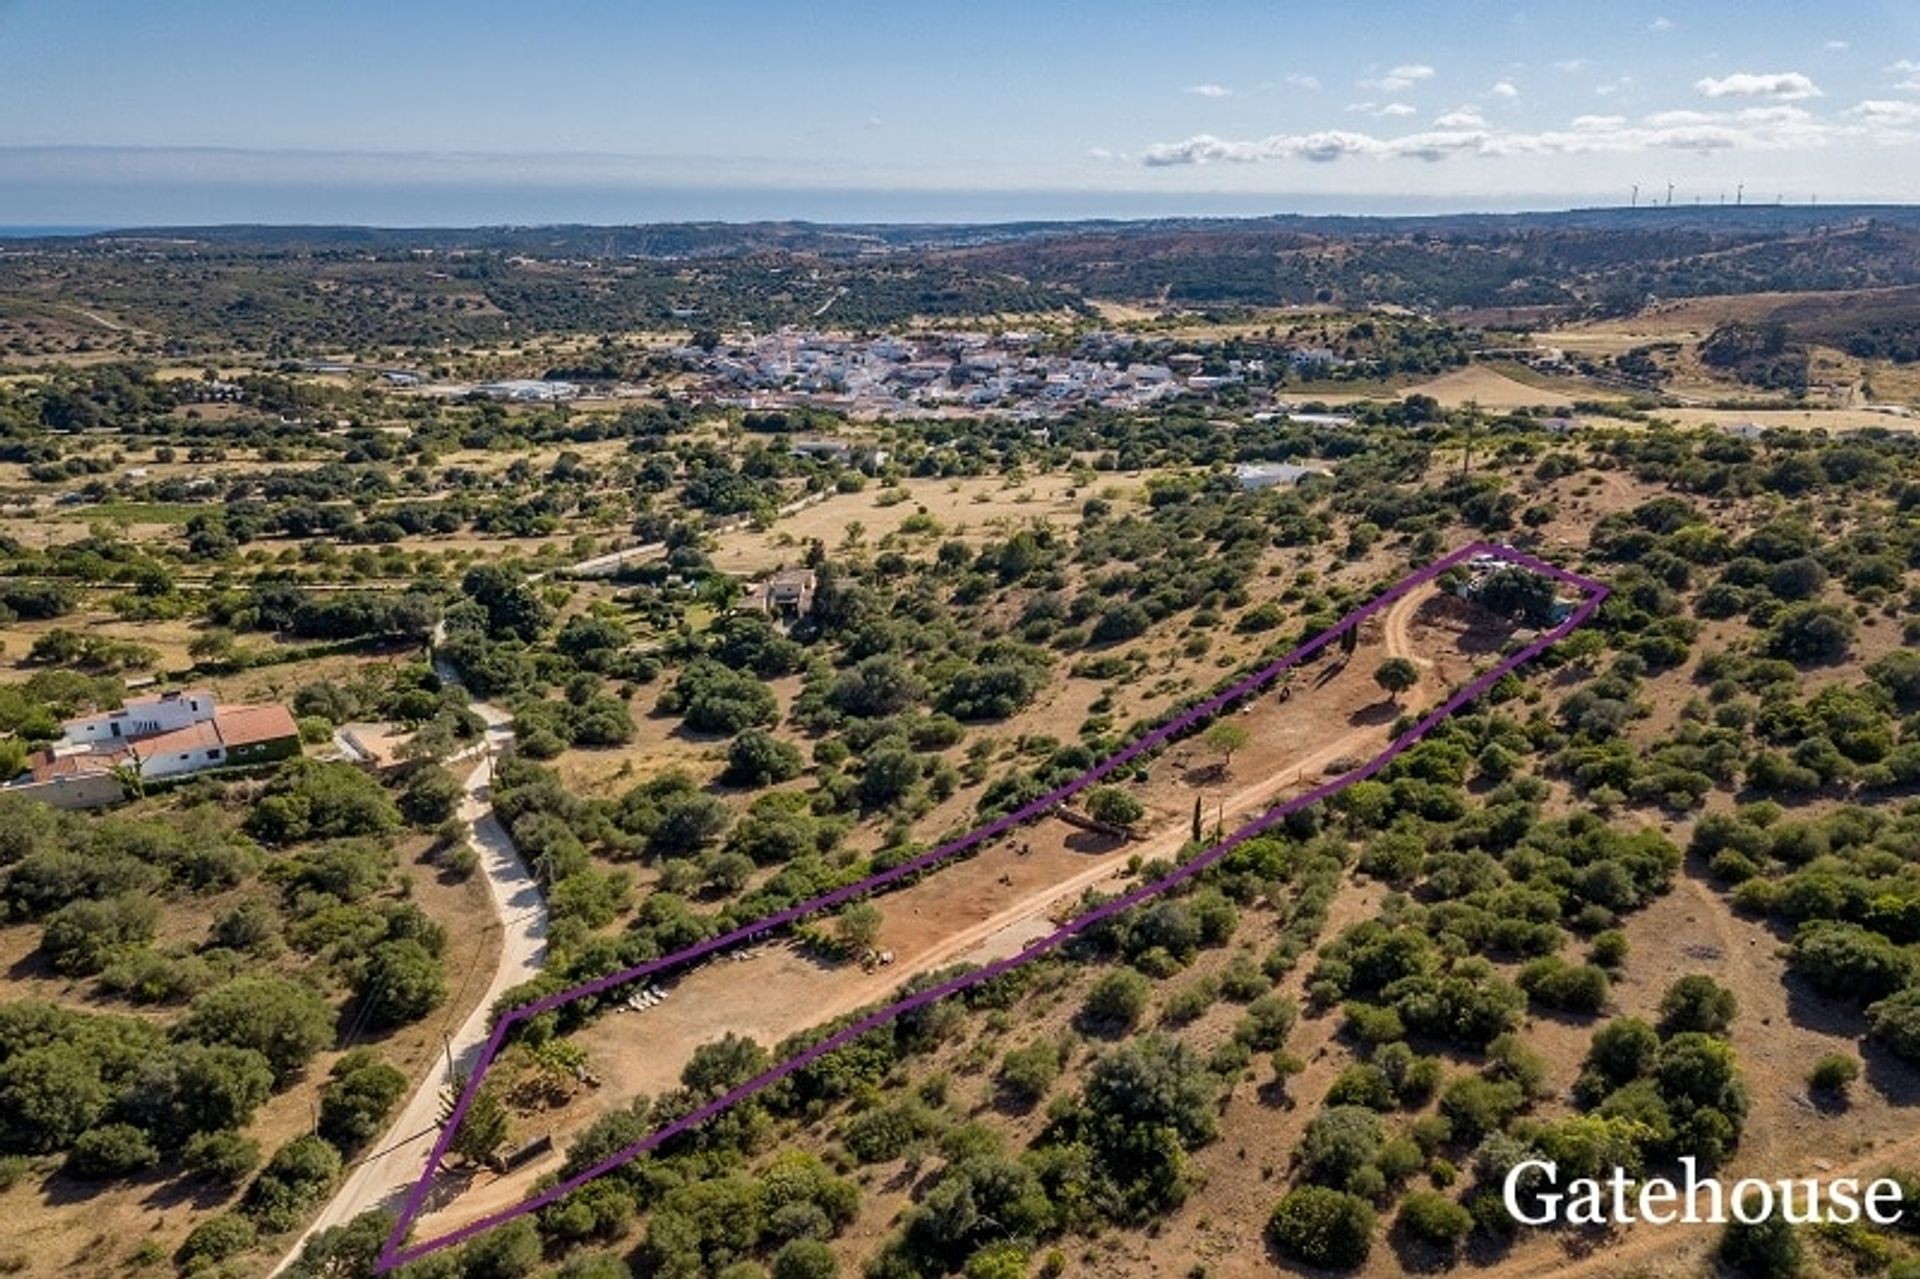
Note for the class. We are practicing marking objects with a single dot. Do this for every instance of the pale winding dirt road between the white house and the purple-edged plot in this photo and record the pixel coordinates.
(521, 913)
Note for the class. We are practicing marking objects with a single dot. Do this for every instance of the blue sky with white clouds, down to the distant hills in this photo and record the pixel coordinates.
(475, 112)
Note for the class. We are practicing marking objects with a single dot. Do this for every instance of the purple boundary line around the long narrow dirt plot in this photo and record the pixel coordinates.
(395, 1253)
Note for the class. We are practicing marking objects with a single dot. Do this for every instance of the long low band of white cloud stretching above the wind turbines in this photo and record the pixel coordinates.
(1748, 130)
